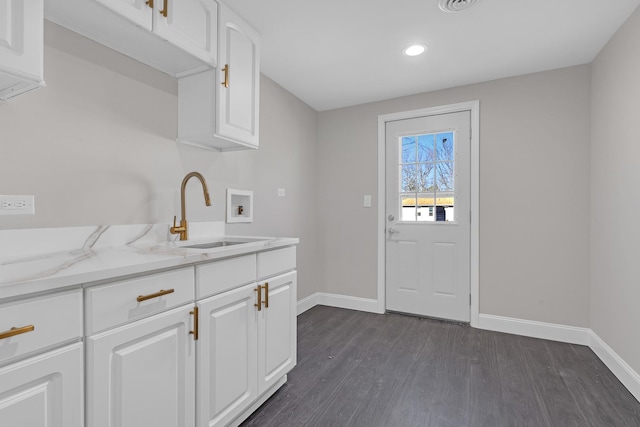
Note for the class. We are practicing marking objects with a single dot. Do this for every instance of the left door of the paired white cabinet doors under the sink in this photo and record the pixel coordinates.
(227, 356)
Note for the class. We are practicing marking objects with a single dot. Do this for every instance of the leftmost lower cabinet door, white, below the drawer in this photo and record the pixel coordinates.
(44, 391)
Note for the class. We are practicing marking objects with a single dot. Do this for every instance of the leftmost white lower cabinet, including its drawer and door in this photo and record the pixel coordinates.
(41, 361)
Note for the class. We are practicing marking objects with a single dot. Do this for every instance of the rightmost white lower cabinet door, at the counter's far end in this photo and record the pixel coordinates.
(277, 330)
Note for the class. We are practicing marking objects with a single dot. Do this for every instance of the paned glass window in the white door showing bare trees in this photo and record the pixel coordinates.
(427, 171)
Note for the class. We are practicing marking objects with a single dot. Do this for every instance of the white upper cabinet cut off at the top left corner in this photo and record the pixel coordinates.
(21, 46)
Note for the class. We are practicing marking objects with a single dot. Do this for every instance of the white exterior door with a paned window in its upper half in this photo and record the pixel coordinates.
(428, 204)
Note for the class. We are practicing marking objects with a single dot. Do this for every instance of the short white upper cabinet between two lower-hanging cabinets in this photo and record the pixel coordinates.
(141, 29)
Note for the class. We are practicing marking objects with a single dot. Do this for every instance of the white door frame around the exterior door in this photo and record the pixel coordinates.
(474, 108)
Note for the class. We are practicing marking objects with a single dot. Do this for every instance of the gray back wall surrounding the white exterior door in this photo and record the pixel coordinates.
(534, 194)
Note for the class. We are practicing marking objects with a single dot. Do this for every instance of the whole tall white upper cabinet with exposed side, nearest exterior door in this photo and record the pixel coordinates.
(219, 109)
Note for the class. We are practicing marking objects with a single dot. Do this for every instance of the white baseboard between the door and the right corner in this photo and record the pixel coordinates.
(531, 328)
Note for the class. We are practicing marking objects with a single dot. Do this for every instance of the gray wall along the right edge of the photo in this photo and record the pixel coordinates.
(615, 200)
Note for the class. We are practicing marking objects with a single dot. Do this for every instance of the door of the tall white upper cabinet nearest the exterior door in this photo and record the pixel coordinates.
(237, 103)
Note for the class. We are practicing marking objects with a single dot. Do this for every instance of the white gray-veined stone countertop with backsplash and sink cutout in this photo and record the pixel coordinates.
(107, 253)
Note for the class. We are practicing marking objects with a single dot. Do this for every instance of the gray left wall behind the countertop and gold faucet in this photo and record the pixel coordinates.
(97, 146)
